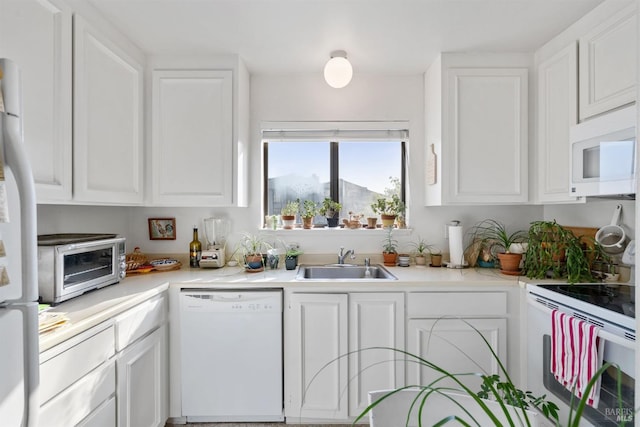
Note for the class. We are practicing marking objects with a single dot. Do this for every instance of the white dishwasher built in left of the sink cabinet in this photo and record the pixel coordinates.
(231, 355)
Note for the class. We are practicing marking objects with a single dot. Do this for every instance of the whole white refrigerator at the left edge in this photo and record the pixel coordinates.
(19, 355)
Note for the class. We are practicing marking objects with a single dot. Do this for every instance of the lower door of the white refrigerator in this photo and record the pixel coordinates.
(19, 365)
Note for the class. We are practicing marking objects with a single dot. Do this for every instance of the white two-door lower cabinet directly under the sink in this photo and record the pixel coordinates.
(330, 365)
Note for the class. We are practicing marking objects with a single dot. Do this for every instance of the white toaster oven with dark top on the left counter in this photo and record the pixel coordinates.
(74, 263)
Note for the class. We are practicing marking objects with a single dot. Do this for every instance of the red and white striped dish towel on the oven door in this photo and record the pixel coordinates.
(575, 354)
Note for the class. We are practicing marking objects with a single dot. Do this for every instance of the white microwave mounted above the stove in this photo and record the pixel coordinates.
(603, 155)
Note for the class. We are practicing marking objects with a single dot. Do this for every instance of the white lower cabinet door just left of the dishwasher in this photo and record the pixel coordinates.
(141, 382)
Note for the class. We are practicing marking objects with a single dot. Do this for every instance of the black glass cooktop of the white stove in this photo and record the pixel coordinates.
(616, 297)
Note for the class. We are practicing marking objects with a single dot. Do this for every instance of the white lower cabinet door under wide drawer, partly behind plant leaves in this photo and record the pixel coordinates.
(453, 345)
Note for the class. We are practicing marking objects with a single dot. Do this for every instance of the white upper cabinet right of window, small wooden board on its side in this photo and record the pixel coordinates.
(477, 117)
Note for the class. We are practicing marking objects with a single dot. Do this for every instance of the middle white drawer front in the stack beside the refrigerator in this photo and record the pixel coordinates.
(78, 401)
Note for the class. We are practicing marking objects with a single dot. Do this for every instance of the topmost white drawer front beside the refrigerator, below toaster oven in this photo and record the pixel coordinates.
(79, 356)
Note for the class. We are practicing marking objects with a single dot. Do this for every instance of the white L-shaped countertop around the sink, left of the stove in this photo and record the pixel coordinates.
(103, 304)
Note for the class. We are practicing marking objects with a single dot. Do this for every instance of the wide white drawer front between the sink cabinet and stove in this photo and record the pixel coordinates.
(437, 304)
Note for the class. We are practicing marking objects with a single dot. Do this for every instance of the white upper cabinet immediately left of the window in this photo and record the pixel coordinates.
(199, 131)
